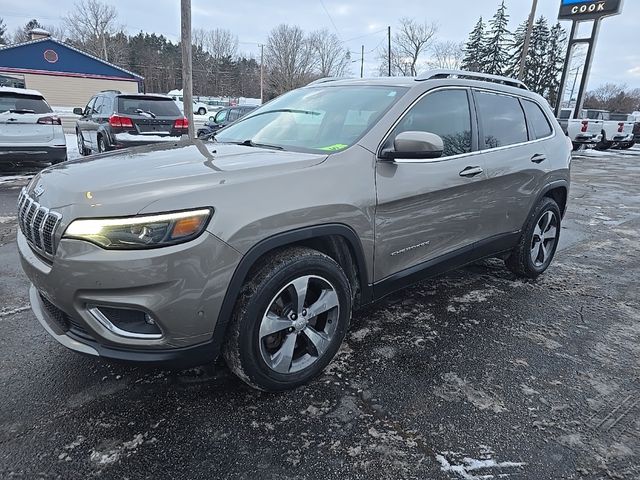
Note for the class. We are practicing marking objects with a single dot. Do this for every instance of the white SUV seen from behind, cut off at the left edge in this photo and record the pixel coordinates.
(30, 134)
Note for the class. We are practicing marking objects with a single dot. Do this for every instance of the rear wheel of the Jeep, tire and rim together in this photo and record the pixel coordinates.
(528, 259)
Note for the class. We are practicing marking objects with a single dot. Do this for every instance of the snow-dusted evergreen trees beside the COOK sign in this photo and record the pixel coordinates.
(492, 48)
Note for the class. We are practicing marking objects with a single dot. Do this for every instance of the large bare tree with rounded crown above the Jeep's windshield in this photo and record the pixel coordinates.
(289, 59)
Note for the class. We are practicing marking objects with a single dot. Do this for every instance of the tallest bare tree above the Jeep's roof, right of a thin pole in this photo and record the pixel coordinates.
(410, 41)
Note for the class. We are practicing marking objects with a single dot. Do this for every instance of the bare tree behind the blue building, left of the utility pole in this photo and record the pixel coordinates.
(90, 24)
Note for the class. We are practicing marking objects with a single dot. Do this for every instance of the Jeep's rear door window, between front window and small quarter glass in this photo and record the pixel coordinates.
(502, 120)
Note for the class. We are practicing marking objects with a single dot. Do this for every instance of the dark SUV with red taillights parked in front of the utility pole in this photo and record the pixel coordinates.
(113, 120)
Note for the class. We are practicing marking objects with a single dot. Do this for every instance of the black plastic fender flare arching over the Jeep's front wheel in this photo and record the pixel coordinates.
(281, 240)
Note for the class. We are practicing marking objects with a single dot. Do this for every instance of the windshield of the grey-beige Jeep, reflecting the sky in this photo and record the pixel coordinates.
(327, 119)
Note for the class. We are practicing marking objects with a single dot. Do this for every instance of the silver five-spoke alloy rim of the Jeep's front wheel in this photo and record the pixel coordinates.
(299, 324)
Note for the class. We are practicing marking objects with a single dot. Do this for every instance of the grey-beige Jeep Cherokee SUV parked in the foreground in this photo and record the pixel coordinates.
(259, 245)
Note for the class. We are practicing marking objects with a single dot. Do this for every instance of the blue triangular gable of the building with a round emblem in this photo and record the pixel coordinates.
(51, 56)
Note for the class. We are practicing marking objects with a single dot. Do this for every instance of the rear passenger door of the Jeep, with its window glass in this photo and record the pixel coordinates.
(514, 154)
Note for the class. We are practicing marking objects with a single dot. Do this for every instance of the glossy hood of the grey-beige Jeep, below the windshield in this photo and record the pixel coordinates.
(125, 182)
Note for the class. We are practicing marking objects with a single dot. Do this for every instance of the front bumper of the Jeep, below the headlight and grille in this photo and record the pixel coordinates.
(182, 287)
